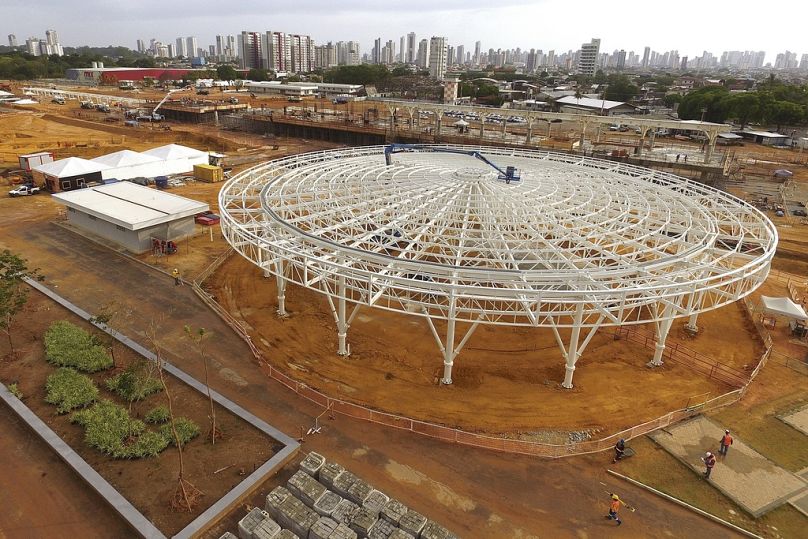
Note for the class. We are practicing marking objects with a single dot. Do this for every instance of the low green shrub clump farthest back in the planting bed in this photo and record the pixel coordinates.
(67, 345)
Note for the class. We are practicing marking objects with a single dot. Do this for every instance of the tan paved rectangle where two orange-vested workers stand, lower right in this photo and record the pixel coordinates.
(744, 475)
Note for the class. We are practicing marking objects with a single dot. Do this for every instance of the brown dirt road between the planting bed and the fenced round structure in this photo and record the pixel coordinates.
(475, 493)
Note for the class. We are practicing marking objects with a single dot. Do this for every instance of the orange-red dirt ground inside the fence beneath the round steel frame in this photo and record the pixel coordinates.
(505, 380)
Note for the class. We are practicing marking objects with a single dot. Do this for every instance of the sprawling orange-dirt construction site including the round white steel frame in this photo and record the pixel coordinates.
(481, 431)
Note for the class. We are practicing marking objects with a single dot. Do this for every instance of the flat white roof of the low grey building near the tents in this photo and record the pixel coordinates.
(130, 205)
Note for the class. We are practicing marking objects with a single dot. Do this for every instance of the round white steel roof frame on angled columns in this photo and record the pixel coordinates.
(574, 244)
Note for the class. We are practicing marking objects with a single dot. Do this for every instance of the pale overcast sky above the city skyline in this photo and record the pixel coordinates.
(691, 26)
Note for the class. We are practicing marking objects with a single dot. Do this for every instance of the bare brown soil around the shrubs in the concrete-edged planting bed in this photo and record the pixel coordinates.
(147, 483)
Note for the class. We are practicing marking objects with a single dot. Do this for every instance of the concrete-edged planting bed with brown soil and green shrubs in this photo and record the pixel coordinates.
(116, 415)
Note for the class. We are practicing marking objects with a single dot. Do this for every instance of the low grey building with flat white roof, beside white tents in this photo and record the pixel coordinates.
(130, 215)
